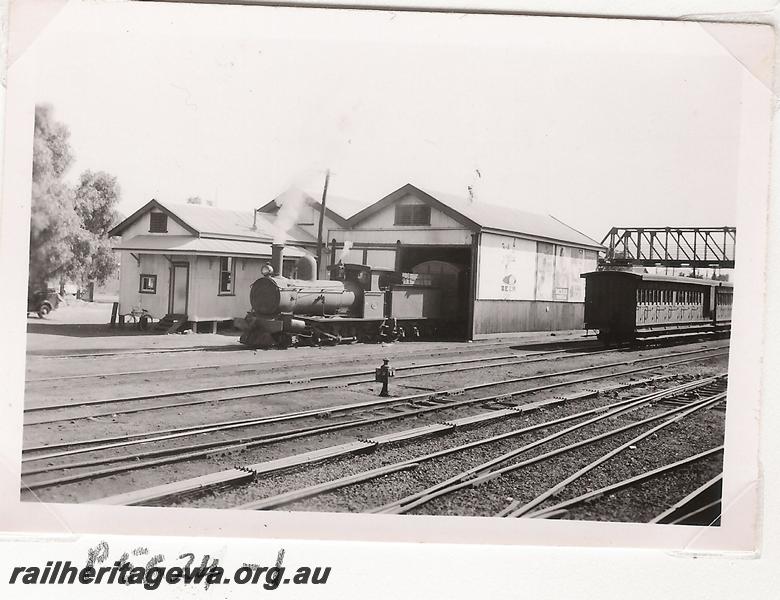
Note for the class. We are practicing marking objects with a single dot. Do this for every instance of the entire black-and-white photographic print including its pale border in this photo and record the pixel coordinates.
(455, 272)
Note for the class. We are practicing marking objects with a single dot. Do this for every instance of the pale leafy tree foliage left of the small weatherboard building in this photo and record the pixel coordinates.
(68, 226)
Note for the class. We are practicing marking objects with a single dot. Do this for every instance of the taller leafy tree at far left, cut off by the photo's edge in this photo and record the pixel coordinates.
(52, 218)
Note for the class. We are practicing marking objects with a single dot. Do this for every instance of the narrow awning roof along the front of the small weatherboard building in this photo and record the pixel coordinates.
(185, 244)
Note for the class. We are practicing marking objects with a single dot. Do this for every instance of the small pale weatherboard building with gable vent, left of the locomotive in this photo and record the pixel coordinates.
(195, 263)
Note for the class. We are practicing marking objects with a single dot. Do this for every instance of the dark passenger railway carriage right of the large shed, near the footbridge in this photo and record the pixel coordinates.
(625, 306)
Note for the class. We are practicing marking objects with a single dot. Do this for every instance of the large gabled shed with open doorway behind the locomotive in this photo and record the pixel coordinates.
(502, 270)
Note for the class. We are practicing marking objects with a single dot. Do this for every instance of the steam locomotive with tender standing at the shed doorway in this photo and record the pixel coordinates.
(357, 303)
